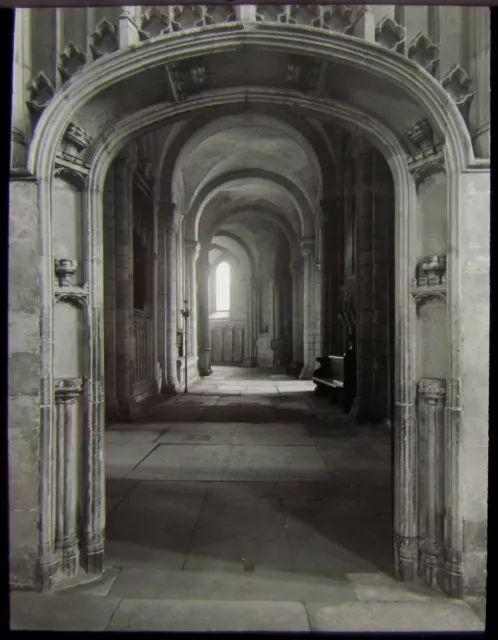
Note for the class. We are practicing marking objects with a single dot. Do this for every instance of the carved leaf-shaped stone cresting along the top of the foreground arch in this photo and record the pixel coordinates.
(134, 25)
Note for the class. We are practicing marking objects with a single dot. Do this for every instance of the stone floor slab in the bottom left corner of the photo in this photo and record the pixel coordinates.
(36, 612)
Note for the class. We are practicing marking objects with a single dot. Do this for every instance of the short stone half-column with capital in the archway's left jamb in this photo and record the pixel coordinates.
(67, 392)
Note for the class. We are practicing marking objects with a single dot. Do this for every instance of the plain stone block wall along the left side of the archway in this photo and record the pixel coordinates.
(25, 378)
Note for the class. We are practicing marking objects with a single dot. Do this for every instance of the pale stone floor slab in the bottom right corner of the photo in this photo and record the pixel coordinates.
(393, 616)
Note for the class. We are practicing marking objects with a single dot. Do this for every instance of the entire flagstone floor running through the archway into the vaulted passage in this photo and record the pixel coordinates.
(247, 504)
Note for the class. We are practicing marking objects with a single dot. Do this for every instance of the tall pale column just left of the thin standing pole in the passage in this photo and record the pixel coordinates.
(172, 325)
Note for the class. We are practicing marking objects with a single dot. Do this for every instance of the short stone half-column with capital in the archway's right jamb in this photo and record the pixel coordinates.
(431, 394)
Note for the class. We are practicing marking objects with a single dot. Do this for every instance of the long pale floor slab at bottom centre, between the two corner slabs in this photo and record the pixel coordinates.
(170, 615)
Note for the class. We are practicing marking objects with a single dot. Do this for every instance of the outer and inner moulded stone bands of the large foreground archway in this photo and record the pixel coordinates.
(459, 162)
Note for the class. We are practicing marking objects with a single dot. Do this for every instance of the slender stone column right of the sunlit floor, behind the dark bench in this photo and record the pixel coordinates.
(308, 253)
